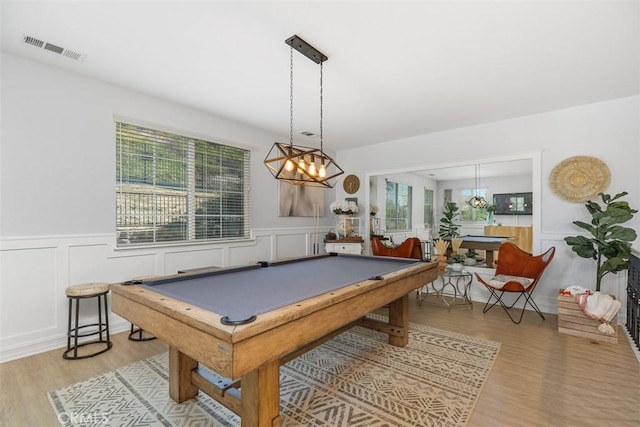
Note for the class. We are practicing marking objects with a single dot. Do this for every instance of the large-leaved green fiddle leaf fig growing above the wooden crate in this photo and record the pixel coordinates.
(610, 243)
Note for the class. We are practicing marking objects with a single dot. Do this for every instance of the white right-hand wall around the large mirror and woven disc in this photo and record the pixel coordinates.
(607, 130)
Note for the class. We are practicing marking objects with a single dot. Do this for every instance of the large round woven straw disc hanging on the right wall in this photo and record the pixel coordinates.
(580, 178)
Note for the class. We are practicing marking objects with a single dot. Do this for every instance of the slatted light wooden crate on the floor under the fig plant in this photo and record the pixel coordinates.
(573, 321)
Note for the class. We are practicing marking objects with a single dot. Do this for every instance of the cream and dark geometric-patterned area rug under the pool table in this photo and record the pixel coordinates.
(356, 379)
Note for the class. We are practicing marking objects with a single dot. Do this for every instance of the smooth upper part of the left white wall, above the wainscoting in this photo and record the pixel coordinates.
(58, 150)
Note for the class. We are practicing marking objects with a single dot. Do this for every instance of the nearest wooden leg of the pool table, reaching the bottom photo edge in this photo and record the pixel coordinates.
(261, 396)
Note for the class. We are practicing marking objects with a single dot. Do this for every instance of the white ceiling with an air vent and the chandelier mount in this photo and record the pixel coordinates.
(395, 69)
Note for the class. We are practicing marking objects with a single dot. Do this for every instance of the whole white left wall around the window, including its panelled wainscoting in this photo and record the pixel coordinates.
(57, 205)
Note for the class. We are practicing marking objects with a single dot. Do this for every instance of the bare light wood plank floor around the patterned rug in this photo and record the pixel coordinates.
(541, 378)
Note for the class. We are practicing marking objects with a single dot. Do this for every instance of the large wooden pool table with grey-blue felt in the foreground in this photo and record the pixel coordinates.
(244, 322)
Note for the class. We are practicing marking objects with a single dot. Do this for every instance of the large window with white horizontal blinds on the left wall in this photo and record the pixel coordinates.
(172, 188)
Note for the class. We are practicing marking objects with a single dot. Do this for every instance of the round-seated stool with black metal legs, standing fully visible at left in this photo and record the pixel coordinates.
(100, 329)
